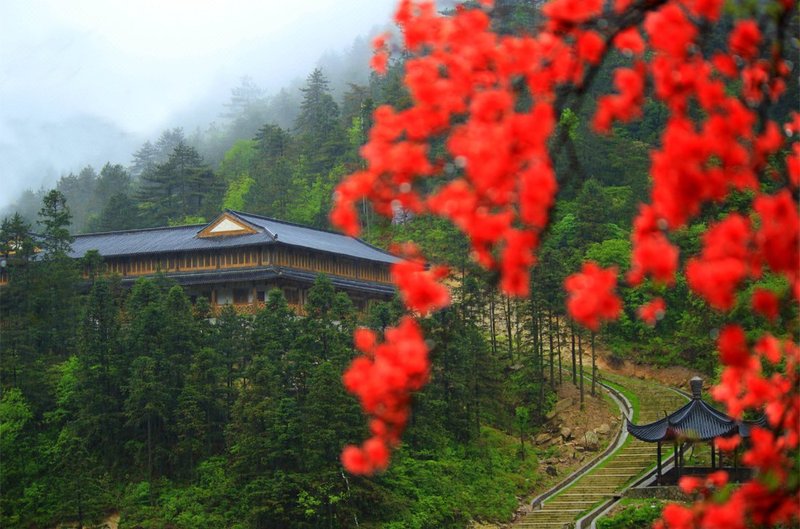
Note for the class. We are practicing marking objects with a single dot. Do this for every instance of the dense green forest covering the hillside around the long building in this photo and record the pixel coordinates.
(136, 401)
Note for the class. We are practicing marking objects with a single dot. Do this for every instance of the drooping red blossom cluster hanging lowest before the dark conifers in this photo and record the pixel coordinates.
(383, 379)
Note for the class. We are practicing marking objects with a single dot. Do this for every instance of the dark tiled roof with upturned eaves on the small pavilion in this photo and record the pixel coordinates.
(696, 421)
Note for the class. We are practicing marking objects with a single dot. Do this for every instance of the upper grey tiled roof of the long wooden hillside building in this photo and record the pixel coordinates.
(184, 238)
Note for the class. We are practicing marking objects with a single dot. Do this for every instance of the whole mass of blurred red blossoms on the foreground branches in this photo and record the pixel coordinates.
(471, 149)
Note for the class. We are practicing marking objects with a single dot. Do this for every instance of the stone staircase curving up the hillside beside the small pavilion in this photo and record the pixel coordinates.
(618, 470)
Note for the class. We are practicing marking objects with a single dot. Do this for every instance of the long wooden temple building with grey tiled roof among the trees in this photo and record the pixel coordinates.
(238, 257)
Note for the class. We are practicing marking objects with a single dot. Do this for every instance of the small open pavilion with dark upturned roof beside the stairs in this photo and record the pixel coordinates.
(695, 422)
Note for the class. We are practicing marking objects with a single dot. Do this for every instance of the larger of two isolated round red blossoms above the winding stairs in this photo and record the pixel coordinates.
(591, 295)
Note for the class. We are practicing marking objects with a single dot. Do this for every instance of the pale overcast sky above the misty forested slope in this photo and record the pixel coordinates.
(85, 81)
